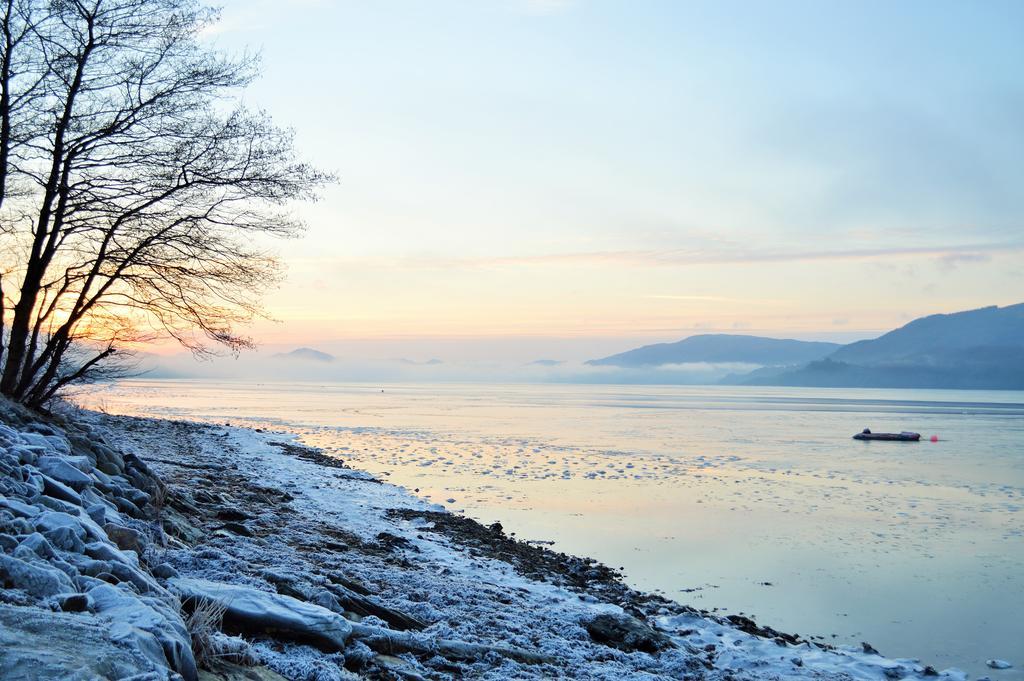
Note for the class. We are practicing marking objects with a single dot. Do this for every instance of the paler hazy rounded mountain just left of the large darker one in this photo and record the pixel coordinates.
(720, 349)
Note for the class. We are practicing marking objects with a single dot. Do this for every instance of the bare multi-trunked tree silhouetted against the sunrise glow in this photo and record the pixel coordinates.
(134, 188)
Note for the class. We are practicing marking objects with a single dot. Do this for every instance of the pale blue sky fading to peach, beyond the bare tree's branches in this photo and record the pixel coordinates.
(571, 179)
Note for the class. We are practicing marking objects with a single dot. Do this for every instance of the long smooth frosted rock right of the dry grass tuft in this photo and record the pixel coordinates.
(252, 611)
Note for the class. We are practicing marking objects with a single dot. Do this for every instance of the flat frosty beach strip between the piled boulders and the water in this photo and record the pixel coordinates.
(258, 512)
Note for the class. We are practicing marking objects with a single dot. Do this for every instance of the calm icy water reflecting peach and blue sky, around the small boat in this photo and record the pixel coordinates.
(750, 500)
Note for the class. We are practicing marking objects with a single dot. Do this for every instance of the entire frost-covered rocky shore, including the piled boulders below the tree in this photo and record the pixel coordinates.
(148, 549)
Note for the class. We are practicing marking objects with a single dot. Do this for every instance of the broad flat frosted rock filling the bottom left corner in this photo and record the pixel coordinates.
(39, 645)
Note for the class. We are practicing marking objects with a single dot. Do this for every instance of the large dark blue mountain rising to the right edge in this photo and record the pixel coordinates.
(973, 350)
